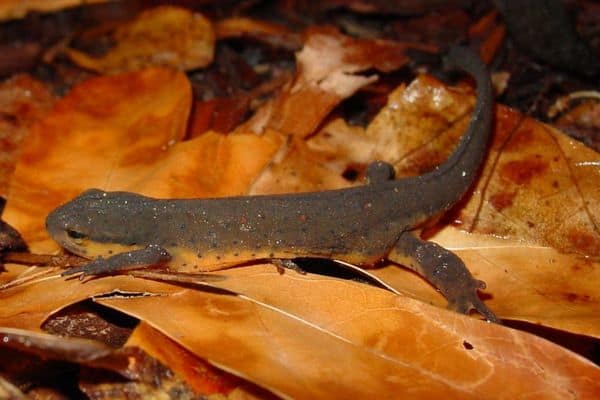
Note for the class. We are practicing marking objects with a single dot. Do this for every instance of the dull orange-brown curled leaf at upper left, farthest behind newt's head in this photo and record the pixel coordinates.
(163, 36)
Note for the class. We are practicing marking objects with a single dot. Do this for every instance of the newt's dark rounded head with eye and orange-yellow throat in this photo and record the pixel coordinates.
(97, 222)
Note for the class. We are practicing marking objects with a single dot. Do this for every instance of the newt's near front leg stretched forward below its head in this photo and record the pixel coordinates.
(151, 255)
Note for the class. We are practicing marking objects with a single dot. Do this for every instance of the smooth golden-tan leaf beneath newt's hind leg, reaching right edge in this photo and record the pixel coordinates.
(526, 283)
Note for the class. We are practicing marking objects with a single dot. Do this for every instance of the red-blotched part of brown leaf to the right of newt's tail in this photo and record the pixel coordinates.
(540, 188)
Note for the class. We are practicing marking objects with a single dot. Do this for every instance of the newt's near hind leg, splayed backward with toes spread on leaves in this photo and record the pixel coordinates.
(445, 270)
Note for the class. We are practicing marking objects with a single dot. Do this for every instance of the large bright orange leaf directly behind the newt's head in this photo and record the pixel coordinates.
(89, 136)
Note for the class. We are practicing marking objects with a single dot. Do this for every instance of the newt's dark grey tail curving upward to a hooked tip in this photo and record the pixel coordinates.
(441, 188)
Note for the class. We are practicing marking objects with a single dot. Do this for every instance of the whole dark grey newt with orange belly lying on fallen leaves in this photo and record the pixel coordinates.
(362, 225)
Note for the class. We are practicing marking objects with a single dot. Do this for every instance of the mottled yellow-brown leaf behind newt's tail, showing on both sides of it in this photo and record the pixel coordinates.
(537, 187)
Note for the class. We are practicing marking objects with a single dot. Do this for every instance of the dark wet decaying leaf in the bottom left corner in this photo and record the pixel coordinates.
(148, 376)
